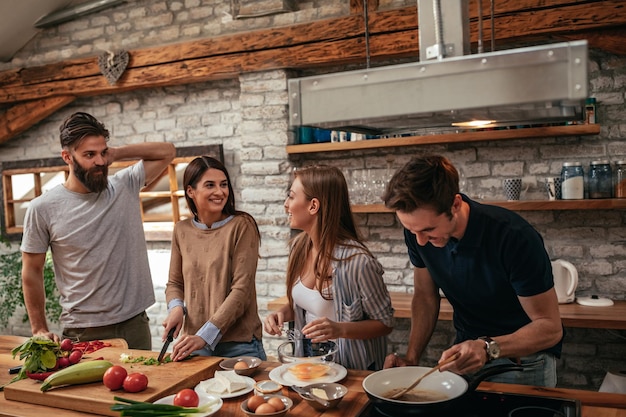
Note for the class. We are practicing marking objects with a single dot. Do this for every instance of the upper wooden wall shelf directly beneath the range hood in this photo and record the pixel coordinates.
(472, 136)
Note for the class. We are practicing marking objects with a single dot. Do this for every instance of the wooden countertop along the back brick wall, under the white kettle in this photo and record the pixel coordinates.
(572, 314)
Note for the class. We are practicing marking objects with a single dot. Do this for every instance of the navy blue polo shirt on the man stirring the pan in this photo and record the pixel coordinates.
(500, 257)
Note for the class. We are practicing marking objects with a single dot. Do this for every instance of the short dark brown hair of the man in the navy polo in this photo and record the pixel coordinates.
(427, 181)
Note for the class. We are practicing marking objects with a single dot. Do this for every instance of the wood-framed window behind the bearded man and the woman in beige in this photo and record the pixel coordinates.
(162, 203)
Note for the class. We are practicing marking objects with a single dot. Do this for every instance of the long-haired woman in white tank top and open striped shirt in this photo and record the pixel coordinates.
(335, 285)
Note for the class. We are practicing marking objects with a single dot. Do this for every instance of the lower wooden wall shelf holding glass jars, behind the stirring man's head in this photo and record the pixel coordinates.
(524, 205)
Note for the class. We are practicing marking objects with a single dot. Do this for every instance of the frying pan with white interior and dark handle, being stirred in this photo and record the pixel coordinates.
(453, 386)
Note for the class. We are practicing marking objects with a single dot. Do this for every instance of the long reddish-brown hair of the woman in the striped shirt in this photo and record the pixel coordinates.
(335, 225)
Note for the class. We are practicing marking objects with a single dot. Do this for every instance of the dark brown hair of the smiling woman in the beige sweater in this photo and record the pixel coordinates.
(194, 172)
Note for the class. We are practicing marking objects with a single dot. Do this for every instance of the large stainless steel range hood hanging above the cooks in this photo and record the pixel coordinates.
(539, 84)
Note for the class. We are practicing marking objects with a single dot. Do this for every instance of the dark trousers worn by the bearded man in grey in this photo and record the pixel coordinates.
(136, 332)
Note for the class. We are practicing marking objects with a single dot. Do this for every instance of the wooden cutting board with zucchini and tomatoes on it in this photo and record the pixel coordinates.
(163, 380)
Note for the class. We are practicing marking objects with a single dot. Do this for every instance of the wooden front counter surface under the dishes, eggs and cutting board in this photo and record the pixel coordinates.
(594, 404)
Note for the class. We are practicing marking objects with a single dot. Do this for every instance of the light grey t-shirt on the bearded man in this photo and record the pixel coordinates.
(98, 249)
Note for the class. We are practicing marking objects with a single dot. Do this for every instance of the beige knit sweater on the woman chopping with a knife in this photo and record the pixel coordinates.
(213, 271)
